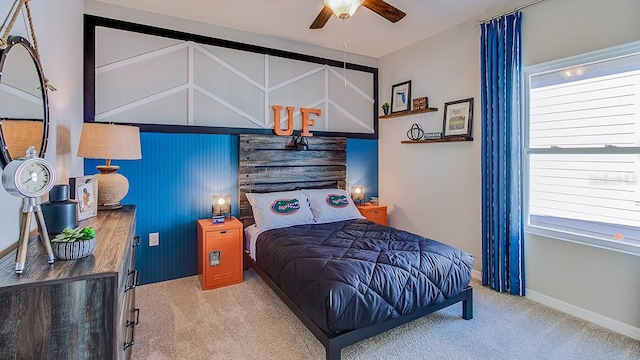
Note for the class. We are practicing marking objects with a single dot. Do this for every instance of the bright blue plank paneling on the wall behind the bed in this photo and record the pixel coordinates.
(172, 187)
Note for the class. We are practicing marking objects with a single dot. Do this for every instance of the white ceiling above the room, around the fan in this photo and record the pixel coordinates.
(365, 33)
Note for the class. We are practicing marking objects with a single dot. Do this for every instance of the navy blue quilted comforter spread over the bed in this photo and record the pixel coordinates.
(350, 274)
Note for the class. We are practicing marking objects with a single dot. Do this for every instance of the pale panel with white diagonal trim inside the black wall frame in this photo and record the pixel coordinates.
(150, 79)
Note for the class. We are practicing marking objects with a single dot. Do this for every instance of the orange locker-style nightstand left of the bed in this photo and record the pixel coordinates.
(219, 253)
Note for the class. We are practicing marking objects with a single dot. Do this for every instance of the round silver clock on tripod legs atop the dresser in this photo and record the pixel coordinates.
(30, 177)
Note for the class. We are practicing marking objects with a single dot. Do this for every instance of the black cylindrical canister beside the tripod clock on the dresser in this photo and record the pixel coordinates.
(59, 212)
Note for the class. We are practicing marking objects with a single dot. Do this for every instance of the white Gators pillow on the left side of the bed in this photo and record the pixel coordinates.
(280, 209)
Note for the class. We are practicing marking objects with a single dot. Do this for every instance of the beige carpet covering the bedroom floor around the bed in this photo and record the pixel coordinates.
(248, 321)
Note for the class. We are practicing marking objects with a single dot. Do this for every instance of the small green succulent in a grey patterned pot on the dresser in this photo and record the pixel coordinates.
(73, 244)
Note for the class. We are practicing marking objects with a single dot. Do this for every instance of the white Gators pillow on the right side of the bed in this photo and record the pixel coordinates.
(330, 205)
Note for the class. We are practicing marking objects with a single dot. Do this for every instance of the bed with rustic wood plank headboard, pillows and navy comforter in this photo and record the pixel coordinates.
(346, 279)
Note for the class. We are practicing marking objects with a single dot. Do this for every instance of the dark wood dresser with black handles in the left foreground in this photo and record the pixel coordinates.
(78, 309)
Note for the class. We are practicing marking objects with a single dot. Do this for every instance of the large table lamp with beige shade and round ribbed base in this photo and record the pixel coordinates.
(110, 142)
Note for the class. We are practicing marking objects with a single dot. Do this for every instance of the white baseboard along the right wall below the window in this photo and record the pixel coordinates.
(611, 324)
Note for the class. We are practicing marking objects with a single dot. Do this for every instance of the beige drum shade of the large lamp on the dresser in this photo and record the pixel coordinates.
(109, 141)
